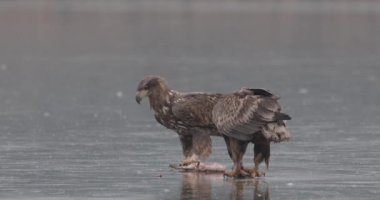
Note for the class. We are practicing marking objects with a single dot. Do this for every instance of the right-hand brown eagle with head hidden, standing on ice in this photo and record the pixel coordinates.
(250, 115)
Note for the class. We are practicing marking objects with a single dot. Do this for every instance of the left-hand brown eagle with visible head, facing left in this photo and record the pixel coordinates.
(188, 114)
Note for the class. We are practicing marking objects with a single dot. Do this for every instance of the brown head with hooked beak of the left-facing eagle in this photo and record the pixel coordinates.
(148, 85)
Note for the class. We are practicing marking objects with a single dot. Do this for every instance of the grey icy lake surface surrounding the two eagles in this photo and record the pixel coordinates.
(71, 129)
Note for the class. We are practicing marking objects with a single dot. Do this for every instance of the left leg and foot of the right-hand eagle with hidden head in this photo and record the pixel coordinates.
(236, 150)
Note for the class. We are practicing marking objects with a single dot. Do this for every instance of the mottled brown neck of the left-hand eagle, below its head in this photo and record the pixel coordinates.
(161, 98)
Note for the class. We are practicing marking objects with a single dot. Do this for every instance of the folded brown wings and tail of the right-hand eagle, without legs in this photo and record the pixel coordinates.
(245, 114)
